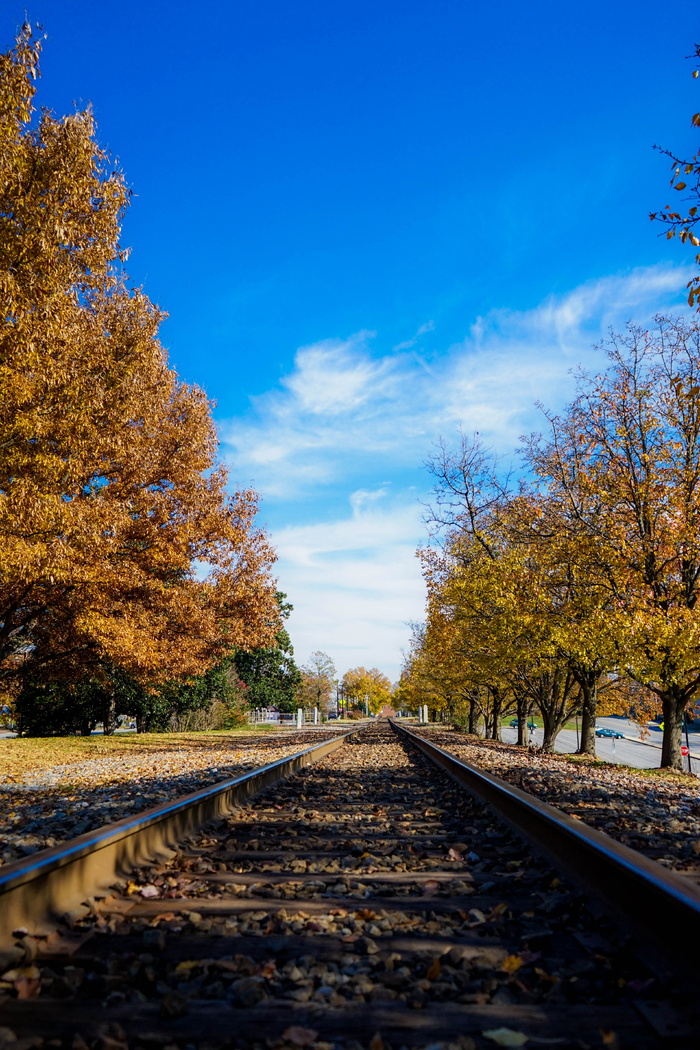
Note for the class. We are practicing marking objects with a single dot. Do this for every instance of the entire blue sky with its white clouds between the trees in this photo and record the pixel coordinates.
(372, 223)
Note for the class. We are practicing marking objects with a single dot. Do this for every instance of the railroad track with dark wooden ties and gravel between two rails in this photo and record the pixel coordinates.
(367, 901)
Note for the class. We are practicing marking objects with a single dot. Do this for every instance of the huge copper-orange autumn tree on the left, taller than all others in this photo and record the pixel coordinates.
(111, 497)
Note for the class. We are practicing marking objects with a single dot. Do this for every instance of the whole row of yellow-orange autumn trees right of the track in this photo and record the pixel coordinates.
(571, 580)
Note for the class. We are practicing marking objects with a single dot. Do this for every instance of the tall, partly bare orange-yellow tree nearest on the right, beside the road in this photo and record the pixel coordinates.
(637, 435)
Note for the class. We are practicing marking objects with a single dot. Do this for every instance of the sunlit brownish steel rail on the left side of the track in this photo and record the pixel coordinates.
(43, 889)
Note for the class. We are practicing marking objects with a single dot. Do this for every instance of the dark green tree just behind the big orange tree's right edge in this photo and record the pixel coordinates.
(271, 675)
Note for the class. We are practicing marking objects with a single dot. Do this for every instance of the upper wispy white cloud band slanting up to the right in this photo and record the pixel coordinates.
(343, 408)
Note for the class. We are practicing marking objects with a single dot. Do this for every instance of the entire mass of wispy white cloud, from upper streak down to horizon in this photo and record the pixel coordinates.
(340, 446)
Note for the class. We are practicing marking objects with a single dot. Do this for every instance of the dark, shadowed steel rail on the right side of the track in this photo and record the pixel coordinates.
(659, 908)
